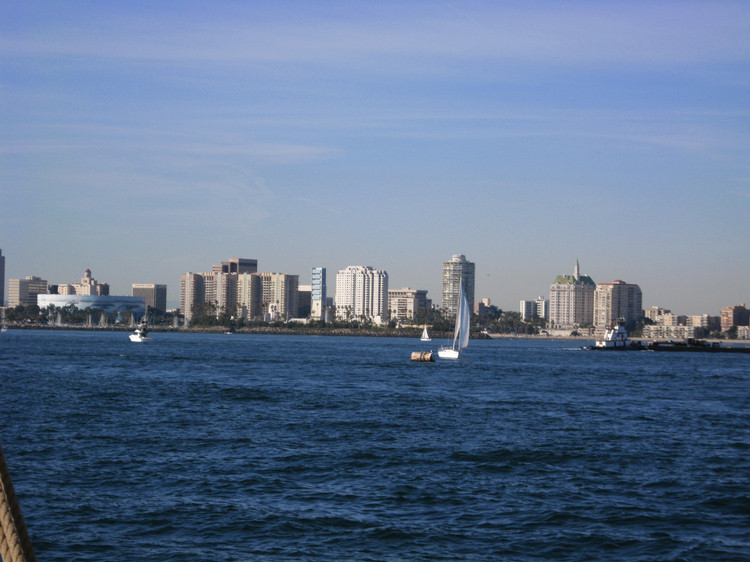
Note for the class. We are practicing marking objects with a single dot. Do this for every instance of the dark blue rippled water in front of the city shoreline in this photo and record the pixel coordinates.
(258, 448)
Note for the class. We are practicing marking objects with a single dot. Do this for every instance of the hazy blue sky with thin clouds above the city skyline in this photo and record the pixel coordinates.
(143, 140)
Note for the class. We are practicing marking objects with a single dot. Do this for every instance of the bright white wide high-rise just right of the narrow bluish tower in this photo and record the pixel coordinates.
(362, 294)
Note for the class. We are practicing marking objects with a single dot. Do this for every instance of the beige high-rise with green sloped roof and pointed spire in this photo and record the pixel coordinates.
(571, 300)
